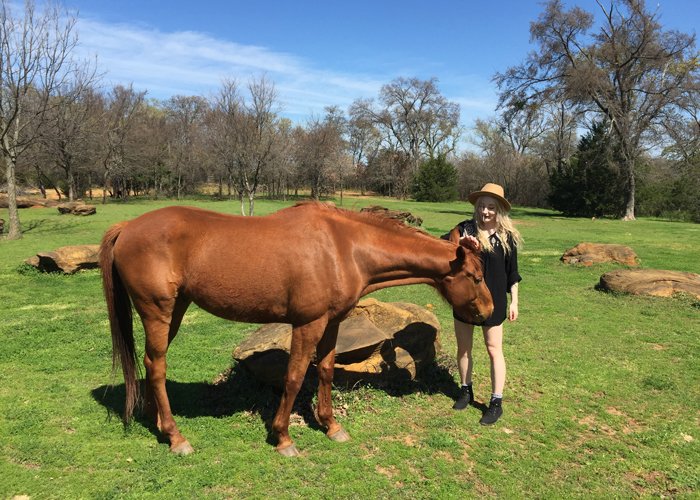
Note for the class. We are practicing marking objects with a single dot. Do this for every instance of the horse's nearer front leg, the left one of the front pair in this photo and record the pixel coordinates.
(304, 340)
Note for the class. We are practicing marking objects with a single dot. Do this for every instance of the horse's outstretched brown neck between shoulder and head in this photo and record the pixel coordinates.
(401, 258)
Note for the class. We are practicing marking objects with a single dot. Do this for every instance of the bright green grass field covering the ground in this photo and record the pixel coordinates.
(602, 397)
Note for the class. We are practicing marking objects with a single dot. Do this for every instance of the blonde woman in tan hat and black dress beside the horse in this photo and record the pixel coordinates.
(492, 230)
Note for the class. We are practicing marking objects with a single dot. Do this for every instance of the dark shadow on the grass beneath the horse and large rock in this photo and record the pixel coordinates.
(238, 391)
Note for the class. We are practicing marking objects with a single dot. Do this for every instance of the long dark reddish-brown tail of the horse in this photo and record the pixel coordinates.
(120, 320)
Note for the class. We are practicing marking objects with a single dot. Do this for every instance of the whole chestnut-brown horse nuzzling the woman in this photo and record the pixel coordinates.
(306, 265)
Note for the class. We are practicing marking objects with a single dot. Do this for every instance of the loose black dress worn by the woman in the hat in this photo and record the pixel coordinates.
(500, 272)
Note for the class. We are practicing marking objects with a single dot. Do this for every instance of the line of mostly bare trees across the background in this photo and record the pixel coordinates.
(597, 121)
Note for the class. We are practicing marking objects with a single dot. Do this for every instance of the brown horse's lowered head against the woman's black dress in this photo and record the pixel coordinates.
(464, 287)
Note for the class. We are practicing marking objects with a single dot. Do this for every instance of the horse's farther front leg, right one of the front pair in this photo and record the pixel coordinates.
(325, 354)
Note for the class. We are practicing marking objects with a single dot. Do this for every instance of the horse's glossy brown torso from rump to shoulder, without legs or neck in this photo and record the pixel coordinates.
(281, 267)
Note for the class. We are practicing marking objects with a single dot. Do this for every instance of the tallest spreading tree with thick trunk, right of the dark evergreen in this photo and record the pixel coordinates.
(630, 71)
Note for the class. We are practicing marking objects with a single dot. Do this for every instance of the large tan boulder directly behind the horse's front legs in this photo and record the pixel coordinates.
(377, 342)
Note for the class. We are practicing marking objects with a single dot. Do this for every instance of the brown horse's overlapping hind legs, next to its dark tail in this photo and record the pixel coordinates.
(160, 331)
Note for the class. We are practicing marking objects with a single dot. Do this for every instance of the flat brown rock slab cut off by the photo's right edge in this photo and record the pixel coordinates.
(656, 282)
